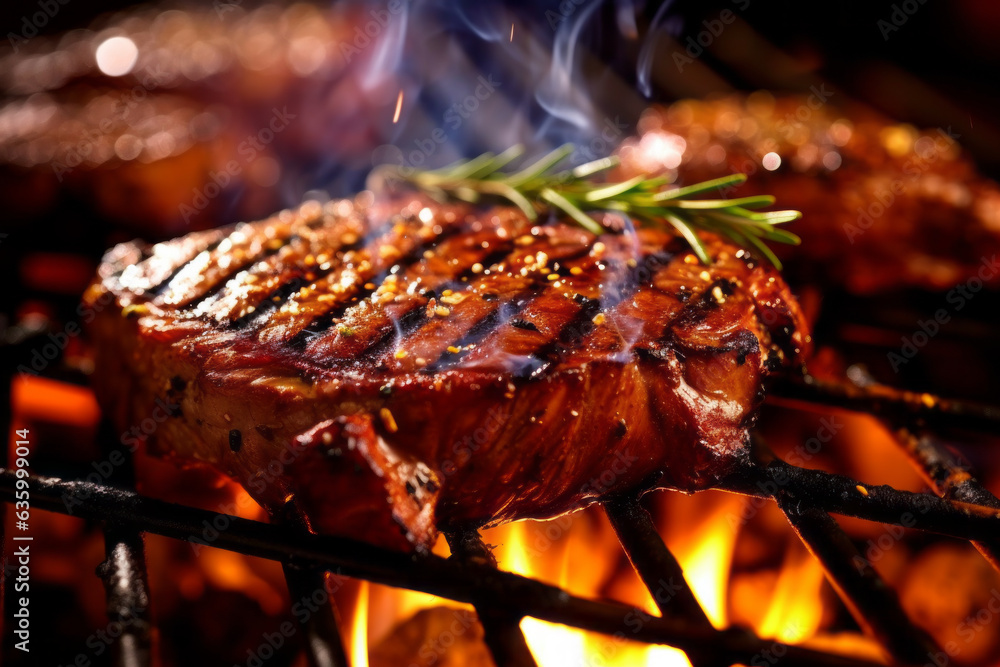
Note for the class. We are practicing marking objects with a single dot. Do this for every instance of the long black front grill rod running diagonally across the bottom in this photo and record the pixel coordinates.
(429, 574)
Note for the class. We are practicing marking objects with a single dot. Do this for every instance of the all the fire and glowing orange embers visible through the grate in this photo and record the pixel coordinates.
(743, 563)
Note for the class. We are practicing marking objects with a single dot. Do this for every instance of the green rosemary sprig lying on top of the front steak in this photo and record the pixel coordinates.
(538, 187)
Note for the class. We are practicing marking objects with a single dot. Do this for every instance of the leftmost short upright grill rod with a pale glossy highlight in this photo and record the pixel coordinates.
(123, 570)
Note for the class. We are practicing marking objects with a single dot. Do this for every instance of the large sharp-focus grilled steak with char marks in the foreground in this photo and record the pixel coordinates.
(389, 370)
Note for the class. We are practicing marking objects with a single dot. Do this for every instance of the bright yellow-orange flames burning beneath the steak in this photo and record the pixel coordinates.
(580, 554)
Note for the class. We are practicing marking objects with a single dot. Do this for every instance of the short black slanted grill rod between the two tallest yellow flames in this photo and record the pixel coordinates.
(657, 567)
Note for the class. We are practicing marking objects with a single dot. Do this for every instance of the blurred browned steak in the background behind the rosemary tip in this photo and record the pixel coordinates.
(884, 205)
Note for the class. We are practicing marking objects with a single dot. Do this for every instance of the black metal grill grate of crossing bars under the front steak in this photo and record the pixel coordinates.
(502, 599)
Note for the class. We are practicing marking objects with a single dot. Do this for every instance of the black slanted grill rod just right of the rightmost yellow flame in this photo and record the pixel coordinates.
(869, 599)
